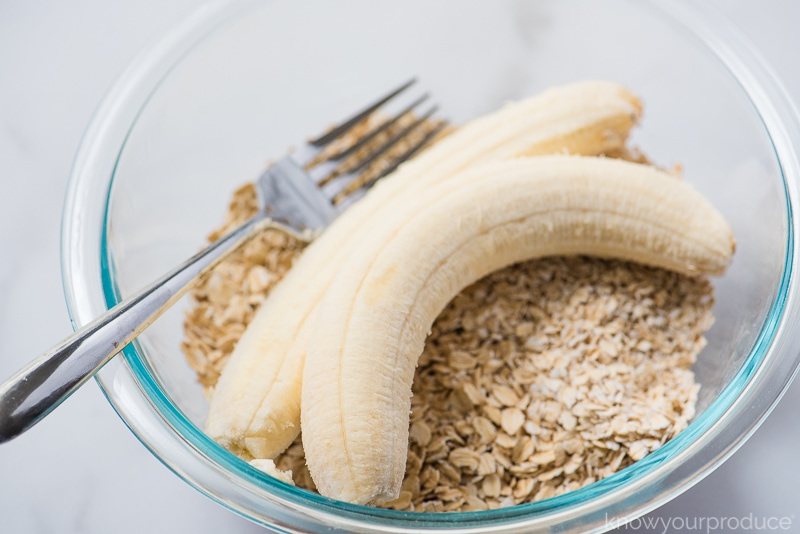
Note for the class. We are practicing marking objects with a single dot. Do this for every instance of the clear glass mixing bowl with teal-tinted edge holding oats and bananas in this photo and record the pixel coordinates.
(201, 113)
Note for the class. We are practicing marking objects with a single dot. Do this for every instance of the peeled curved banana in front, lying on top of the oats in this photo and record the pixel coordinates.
(376, 314)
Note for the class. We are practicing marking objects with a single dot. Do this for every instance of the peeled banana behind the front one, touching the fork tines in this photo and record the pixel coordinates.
(255, 408)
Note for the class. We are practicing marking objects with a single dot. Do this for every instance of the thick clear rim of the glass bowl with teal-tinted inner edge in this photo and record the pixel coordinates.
(89, 289)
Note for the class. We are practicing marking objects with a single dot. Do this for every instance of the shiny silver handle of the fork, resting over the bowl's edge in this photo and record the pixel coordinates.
(43, 384)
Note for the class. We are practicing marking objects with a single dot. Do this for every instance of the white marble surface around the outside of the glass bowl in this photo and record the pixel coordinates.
(81, 470)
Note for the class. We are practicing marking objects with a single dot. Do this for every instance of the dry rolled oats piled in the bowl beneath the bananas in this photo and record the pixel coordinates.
(537, 380)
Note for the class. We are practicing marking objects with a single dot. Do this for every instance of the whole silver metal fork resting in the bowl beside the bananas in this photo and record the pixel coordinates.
(299, 194)
